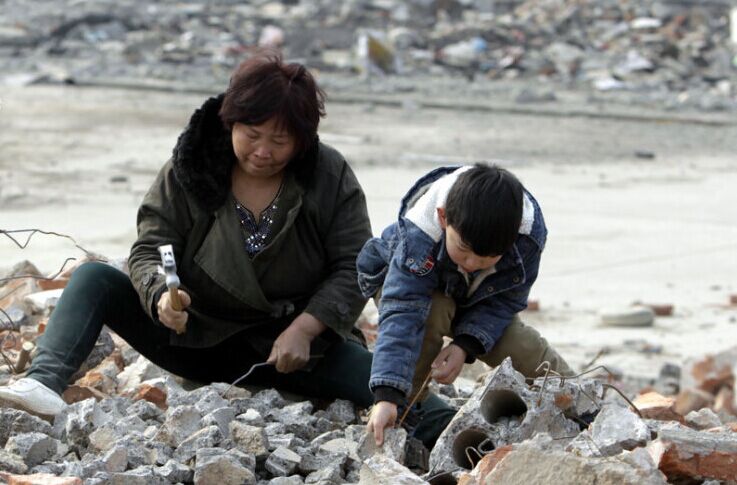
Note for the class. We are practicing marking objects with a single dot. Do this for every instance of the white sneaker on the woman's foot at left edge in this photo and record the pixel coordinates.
(33, 397)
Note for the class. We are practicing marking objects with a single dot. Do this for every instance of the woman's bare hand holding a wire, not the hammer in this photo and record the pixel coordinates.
(291, 350)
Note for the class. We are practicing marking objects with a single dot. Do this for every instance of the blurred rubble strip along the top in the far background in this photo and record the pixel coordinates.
(678, 52)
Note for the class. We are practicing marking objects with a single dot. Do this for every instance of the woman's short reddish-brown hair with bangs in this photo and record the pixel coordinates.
(264, 87)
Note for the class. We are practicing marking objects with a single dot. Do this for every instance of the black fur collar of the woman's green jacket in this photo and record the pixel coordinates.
(203, 157)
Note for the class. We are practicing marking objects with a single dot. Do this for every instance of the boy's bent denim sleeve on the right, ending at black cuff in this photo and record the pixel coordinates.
(487, 320)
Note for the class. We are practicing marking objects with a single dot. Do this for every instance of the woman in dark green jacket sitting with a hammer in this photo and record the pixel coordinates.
(266, 223)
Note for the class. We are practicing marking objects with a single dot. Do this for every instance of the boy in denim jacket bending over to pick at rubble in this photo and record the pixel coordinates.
(460, 261)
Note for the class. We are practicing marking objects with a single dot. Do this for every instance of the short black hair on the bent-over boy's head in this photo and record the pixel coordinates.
(484, 206)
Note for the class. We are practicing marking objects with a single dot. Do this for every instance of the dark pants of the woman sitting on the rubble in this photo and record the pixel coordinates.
(99, 294)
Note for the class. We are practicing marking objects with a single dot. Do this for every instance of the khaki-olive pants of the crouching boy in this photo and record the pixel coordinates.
(526, 347)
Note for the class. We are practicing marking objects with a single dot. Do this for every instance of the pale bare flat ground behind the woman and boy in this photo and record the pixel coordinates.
(623, 228)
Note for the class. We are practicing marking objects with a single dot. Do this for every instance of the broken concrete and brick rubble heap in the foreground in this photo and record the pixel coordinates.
(130, 422)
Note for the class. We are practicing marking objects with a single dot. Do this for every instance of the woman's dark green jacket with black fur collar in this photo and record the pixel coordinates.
(308, 266)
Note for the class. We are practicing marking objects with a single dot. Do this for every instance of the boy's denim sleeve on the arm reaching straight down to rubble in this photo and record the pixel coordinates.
(403, 310)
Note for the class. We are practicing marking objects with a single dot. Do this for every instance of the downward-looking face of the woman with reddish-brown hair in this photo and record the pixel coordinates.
(262, 150)
